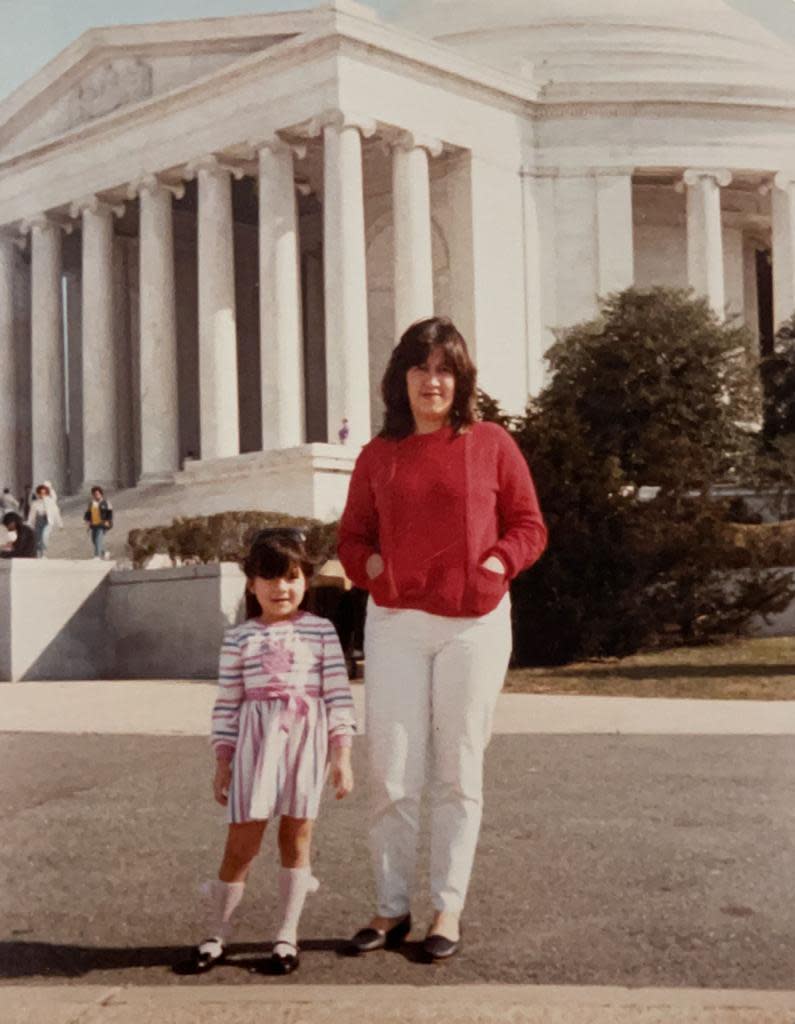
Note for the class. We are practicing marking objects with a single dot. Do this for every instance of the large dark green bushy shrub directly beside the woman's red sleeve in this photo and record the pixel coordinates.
(651, 394)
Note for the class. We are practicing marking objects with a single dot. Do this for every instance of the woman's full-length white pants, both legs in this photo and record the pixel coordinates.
(432, 686)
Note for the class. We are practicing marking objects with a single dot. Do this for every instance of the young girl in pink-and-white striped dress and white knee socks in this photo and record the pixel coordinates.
(284, 710)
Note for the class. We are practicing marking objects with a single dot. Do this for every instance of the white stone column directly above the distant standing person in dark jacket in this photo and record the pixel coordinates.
(100, 378)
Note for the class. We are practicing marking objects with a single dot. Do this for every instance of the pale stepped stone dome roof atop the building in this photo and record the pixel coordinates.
(570, 41)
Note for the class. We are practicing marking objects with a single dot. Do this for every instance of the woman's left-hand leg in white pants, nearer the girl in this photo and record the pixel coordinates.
(398, 697)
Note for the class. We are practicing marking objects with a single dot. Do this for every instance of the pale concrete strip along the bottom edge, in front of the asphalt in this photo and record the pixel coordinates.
(388, 1005)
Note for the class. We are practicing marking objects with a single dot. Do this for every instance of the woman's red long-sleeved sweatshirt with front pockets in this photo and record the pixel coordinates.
(435, 507)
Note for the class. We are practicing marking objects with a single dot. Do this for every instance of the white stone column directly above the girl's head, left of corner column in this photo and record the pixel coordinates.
(280, 301)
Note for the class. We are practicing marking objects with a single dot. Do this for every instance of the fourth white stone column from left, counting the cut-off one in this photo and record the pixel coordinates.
(159, 394)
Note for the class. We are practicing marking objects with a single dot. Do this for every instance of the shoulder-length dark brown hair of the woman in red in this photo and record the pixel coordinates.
(414, 350)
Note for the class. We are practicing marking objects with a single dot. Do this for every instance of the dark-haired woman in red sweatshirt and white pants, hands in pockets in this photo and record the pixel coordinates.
(442, 515)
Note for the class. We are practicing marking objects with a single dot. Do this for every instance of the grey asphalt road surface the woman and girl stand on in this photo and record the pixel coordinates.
(604, 861)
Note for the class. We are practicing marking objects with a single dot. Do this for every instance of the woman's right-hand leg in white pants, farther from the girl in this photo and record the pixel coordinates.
(469, 674)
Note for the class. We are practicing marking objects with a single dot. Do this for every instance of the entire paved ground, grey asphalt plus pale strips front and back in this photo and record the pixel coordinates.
(636, 866)
